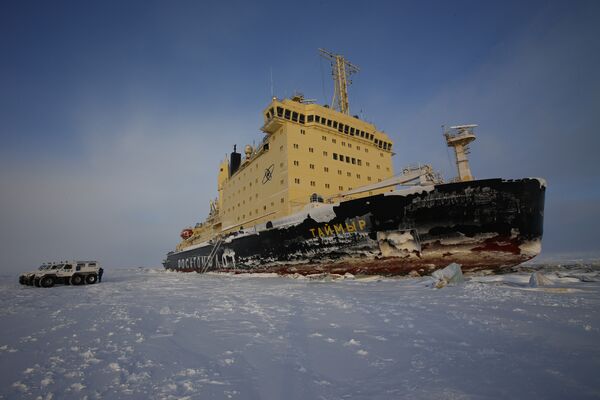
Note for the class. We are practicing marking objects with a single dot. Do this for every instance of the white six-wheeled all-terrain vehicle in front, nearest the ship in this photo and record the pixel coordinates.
(69, 273)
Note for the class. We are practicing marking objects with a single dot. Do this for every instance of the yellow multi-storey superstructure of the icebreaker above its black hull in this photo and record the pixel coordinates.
(309, 152)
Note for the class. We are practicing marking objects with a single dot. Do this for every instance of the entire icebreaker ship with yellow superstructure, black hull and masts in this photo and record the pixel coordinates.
(319, 194)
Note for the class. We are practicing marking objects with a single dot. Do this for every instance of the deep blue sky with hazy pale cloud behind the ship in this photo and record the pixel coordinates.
(114, 115)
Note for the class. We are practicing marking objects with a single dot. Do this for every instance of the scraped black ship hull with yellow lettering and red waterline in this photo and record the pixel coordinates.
(481, 224)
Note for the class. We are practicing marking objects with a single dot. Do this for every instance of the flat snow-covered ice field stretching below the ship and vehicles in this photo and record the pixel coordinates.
(152, 334)
